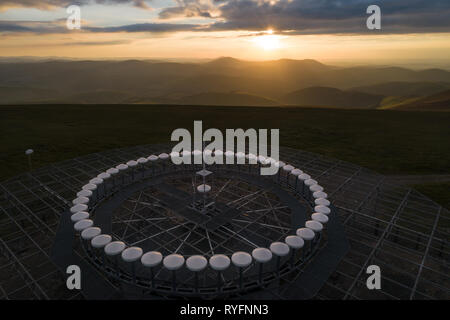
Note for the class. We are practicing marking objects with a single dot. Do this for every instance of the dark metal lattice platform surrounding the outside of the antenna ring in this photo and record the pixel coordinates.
(392, 226)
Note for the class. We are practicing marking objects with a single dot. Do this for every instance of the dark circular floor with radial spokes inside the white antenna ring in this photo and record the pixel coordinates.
(164, 209)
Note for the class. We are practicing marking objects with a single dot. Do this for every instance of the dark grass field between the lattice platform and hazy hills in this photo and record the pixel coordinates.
(390, 142)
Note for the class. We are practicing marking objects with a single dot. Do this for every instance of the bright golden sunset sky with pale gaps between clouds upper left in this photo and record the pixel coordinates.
(265, 44)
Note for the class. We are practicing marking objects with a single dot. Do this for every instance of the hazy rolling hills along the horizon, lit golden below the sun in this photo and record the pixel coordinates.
(221, 81)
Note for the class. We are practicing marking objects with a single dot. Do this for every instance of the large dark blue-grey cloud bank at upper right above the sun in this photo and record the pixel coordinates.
(327, 16)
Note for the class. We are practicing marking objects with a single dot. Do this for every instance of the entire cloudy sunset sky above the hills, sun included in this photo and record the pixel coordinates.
(411, 30)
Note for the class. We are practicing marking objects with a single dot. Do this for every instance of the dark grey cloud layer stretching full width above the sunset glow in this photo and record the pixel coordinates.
(283, 16)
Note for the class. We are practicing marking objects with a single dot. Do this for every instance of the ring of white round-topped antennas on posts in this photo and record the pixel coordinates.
(110, 182)
